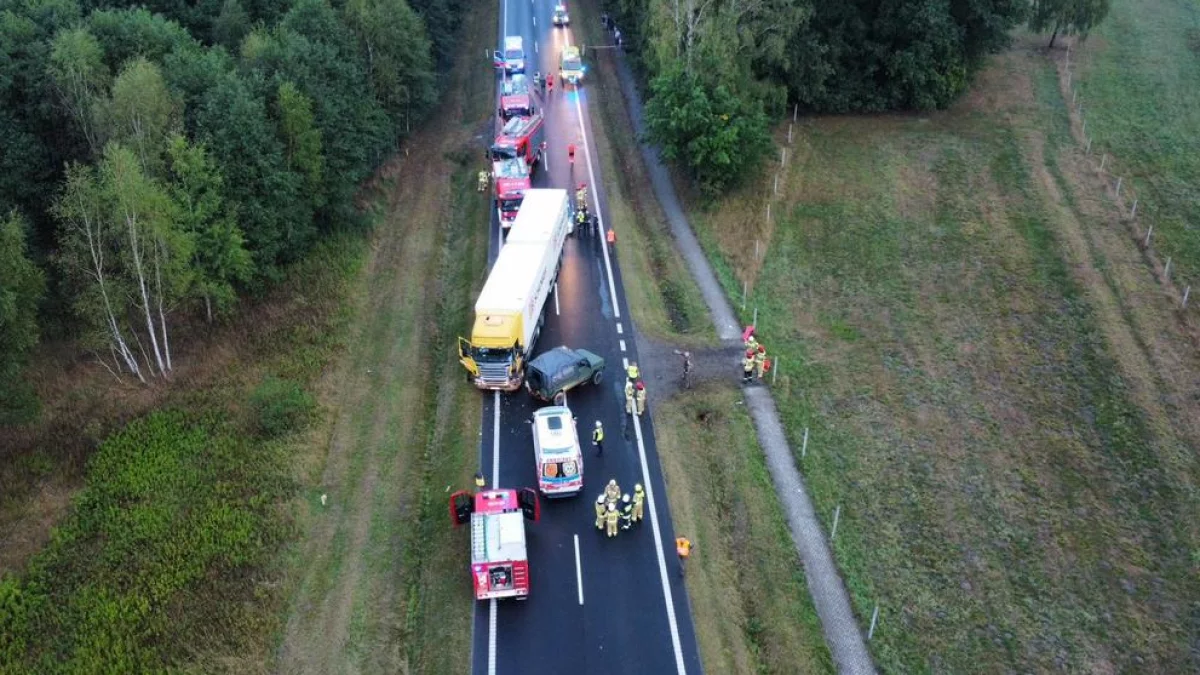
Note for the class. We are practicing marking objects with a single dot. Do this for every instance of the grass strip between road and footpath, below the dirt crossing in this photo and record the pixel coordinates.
(747, 590)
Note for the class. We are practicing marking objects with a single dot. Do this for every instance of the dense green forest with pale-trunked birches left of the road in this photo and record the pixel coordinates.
(161, 159)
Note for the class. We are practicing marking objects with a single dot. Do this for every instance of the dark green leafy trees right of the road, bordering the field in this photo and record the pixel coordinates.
(719, 68)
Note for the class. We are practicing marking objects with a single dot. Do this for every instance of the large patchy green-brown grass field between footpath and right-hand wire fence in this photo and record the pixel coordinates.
(998, 395)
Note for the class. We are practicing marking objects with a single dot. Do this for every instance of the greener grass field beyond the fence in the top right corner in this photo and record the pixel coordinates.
(1137, 75)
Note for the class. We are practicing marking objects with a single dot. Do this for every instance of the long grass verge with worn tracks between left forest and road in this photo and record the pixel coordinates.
(379, 581)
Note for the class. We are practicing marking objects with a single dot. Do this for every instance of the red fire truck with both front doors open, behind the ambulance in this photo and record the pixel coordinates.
(500, 565)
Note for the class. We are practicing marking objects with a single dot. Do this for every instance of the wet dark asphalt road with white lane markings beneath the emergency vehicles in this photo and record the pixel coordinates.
(597, 605)
